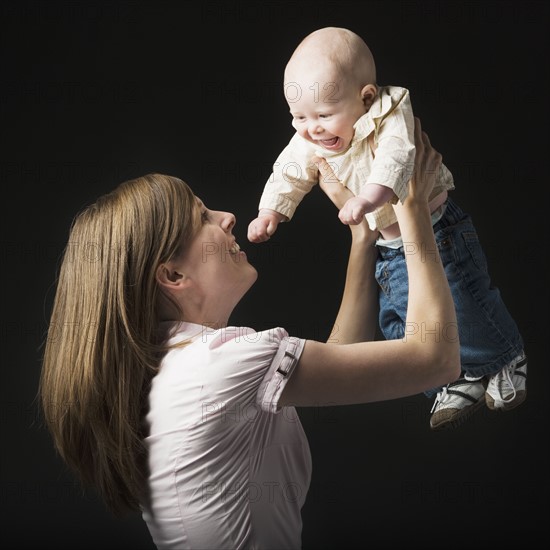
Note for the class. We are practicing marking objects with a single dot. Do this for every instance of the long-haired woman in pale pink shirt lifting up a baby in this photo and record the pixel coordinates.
(162, 407)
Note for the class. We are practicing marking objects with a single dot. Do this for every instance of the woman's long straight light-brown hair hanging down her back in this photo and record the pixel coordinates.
(102, 348)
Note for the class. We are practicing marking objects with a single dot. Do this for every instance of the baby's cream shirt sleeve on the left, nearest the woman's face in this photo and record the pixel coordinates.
(292, 178)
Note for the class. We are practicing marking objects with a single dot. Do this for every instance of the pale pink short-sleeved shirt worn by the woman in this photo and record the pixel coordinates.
(228, 468)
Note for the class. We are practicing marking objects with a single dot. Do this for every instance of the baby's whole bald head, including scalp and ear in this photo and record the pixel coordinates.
(329, 83)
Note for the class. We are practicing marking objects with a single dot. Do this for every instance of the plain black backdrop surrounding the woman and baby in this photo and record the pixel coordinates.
(95, 93)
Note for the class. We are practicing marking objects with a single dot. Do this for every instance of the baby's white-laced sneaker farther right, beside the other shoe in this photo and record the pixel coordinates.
(508, 388)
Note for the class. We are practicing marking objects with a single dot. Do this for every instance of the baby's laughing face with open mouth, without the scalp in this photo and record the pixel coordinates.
(324, 110)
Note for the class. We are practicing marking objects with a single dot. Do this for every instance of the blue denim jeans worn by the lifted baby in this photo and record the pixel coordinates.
(489, 336)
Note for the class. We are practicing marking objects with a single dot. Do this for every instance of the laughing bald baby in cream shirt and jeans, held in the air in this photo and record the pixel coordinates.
(366, 133)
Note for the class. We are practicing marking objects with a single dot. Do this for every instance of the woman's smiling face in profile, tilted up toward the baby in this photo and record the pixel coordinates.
(219, 270)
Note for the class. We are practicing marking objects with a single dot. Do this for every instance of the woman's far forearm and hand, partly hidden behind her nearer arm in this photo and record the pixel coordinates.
(357, 317)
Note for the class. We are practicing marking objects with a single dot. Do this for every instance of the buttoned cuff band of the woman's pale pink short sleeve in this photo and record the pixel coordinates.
(279, 372)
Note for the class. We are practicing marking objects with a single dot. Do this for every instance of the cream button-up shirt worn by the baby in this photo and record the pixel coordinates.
(390, 122)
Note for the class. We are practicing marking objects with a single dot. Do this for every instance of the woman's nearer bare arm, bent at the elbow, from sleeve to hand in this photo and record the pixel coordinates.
(427, 356)
